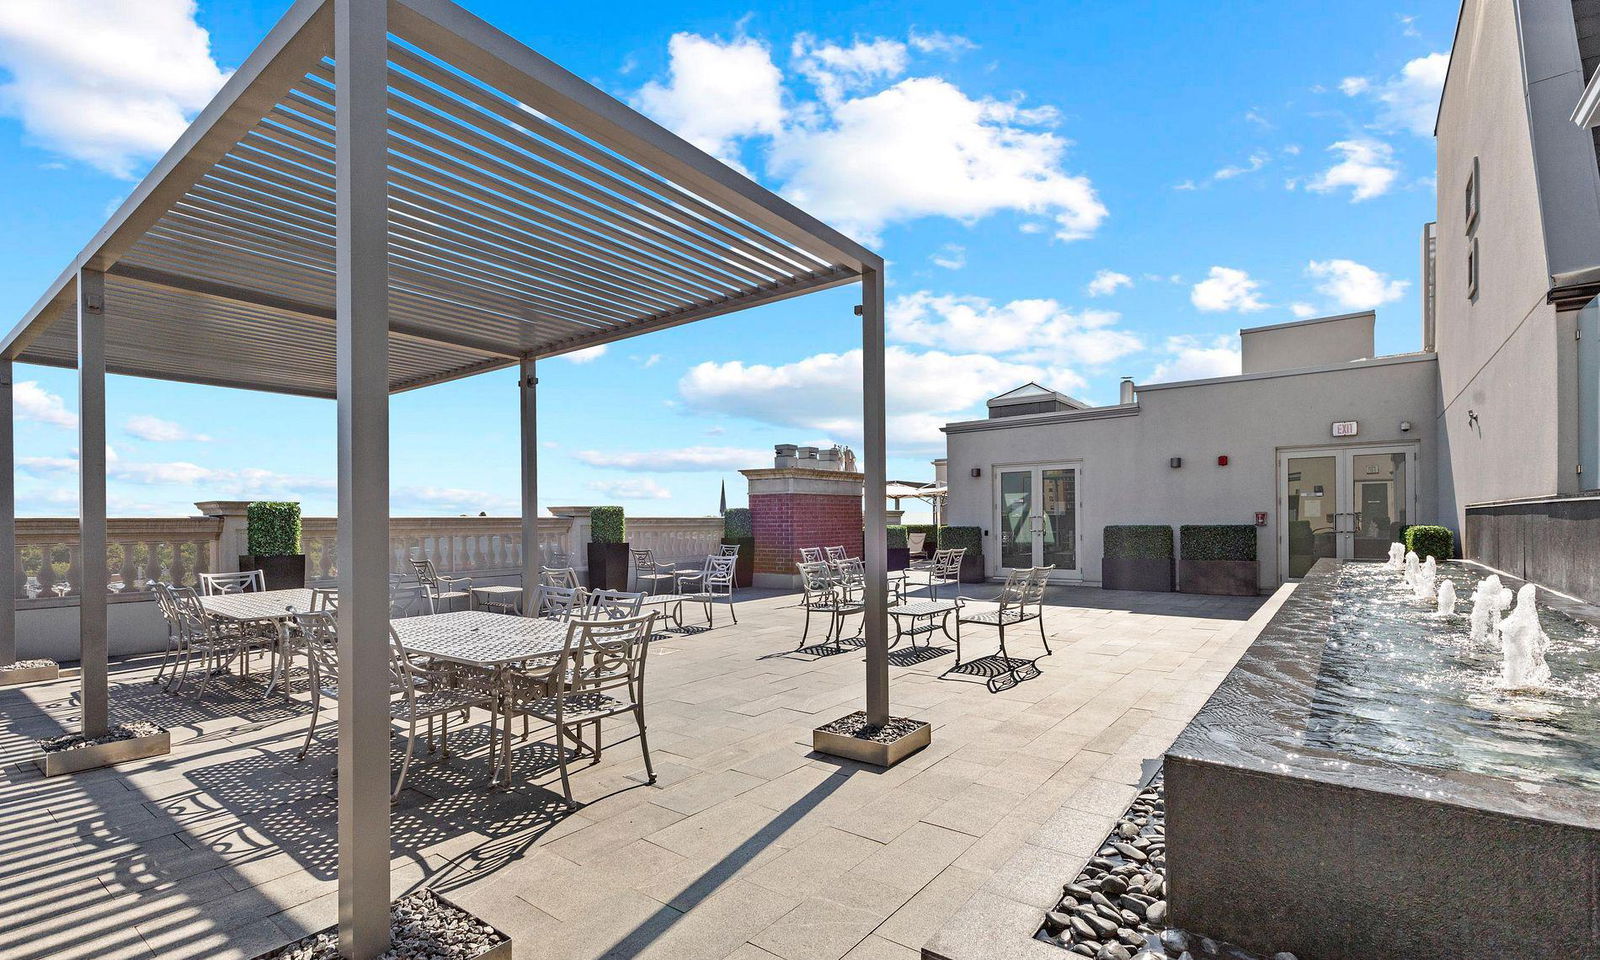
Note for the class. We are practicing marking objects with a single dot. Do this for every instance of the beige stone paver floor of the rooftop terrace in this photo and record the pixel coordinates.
(748, 847)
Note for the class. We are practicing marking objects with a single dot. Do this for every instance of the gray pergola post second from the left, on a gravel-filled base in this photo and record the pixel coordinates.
(92, 502)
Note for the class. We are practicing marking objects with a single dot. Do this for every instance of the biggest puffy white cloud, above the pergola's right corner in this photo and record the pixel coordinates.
(924, 148)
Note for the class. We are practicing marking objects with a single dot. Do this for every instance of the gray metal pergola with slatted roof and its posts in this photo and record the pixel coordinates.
(391, 194)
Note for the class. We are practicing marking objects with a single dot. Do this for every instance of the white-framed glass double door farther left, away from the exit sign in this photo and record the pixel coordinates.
(1038, 522)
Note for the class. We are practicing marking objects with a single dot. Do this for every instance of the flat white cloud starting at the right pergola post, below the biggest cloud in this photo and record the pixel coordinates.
(1034, 330)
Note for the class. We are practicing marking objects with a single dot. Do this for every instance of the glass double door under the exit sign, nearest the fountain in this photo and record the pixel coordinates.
(1343, 503)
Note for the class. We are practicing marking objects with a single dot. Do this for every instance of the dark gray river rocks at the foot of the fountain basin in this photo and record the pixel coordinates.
(1116, 908)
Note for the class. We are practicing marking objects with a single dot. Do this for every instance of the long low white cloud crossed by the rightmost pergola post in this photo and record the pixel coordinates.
(823, 393)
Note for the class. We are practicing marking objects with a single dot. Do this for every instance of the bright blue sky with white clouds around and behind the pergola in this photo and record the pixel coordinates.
(1065, 191)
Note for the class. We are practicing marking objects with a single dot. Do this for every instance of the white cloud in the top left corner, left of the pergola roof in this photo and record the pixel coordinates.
(106, 84)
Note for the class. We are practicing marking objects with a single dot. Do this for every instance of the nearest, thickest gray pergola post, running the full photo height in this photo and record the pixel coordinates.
(362, 321)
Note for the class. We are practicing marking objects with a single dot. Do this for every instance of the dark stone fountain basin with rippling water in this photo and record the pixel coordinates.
(1358, 788)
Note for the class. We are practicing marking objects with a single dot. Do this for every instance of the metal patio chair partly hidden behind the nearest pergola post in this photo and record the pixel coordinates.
(417, 694)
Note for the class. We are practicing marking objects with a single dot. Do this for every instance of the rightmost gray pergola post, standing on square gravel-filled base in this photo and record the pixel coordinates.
(876, 543)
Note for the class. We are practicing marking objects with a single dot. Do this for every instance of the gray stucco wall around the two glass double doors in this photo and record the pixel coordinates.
(1126, 473)
